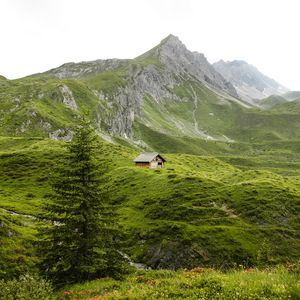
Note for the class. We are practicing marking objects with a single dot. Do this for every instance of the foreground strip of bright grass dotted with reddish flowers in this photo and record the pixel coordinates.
(195, 284)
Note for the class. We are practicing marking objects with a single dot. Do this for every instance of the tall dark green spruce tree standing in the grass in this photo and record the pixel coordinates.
(80, 241)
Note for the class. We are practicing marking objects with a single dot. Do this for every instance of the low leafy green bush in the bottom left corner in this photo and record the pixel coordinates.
(26, 287)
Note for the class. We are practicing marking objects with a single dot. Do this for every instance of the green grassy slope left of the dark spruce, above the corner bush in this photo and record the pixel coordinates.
(25, 169)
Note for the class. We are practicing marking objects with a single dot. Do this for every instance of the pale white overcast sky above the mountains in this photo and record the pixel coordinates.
(37, 35)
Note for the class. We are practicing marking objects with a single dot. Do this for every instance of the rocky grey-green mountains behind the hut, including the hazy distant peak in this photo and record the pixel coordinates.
(167, 94)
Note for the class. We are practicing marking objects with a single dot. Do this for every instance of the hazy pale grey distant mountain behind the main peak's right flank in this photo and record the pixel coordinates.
(249, 82)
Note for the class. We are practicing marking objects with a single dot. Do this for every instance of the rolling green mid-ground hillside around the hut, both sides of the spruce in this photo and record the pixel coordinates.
(198, 210)
